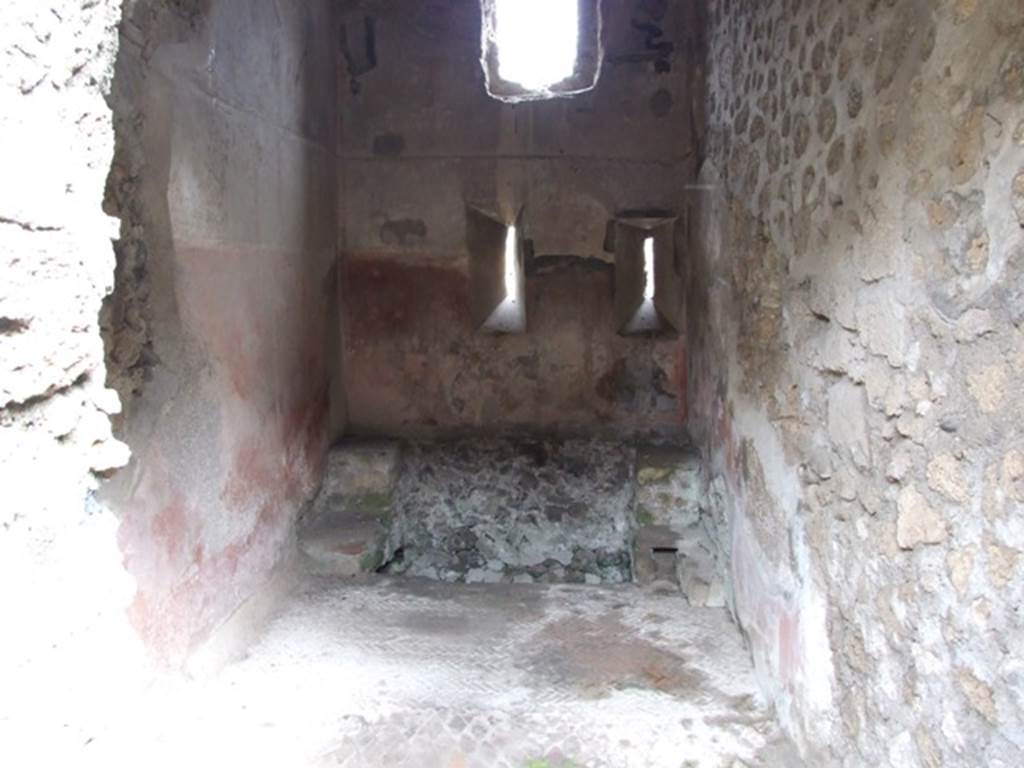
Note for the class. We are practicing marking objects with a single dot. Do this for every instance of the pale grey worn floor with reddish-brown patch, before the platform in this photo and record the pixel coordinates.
(402, 673)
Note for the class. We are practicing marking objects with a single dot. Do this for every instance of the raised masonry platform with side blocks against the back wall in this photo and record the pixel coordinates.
(520, 511)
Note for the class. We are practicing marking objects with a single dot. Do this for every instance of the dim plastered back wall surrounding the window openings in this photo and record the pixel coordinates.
(421, 140)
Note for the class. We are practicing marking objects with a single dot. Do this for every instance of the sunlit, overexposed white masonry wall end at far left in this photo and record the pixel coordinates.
(65, 589)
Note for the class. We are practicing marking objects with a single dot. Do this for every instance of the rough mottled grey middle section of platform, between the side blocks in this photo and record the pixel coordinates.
(501, 510)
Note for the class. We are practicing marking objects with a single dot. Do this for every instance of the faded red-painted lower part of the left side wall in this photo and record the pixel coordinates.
(211, 516)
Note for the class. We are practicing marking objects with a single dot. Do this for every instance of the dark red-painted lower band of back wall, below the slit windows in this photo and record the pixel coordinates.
(415, 364)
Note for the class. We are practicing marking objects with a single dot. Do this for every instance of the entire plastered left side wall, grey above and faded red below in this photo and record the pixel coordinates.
(218, 331)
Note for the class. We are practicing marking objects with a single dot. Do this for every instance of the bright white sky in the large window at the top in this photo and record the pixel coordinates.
(538, 41)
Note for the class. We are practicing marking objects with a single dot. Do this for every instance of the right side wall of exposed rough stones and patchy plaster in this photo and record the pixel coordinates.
(857, 309)
